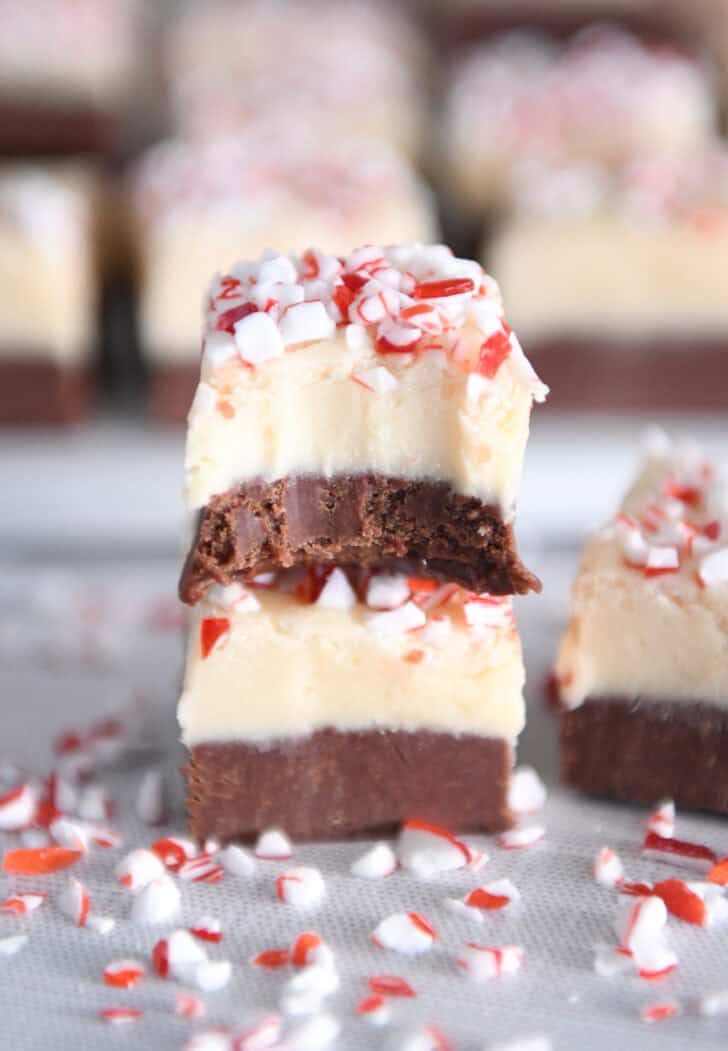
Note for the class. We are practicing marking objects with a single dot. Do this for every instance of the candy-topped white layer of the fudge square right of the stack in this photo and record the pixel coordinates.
(662, 636)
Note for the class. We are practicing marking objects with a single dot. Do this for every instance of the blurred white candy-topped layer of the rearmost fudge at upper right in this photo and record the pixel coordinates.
(604, 95)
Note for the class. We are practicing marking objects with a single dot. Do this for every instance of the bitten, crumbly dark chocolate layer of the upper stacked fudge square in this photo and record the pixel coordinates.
(360, 520)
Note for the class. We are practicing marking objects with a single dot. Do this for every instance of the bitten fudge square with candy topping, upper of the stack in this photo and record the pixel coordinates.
(358, 410)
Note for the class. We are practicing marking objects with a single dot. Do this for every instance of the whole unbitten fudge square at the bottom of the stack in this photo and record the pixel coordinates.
(335, 703)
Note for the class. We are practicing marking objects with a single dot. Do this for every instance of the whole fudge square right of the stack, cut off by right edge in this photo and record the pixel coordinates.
(643, 669)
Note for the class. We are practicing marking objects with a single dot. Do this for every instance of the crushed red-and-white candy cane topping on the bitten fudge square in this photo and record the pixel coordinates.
(398, 301)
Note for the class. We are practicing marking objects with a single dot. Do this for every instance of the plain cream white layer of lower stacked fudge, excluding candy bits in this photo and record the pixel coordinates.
(292, 669)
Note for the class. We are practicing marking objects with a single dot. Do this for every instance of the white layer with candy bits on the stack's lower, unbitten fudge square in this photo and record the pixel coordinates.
(279, 662)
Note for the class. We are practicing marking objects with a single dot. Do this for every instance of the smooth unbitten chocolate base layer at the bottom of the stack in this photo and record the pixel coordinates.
(332, 785)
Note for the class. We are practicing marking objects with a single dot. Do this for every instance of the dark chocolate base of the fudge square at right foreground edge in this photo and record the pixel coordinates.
(642, 751)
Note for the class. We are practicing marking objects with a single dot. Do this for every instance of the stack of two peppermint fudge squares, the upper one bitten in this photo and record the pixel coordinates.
(353, 461)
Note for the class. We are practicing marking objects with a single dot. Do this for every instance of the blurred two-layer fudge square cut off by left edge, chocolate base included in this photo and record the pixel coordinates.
(48, 294)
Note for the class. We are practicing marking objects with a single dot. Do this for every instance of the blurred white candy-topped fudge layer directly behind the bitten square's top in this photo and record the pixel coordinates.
(237, 197)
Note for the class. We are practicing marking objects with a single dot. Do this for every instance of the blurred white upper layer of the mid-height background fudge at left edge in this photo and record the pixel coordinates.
(48, 280)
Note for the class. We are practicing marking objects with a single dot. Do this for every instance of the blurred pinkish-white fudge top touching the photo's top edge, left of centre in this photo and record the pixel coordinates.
(362, 80)
